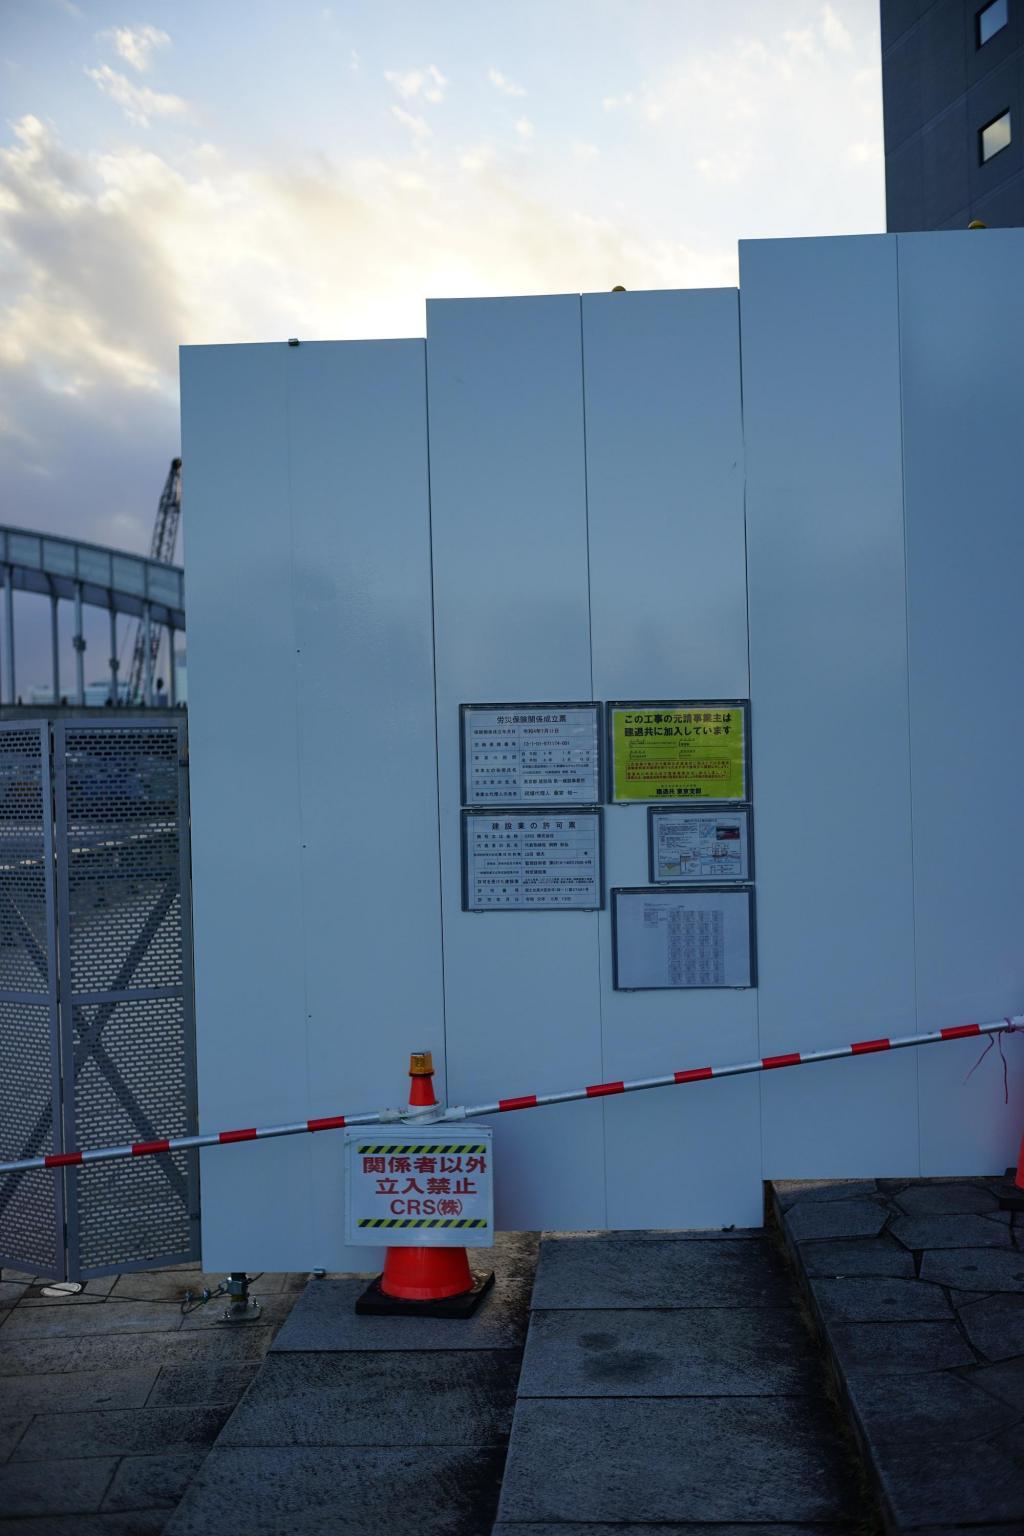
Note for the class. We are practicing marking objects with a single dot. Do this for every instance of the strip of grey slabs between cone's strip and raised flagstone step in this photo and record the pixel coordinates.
(672, 1385)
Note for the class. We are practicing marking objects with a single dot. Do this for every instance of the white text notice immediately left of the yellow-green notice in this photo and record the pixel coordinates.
(532, 753)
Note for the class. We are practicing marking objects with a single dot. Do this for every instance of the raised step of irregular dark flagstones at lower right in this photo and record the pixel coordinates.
(919, 1288)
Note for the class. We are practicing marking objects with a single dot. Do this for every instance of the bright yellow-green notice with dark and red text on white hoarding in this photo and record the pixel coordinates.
(679, 752)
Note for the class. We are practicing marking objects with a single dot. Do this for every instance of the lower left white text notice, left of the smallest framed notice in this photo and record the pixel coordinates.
(532, 861)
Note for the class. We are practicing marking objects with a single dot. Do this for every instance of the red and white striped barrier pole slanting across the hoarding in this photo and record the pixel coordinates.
(696, 1074)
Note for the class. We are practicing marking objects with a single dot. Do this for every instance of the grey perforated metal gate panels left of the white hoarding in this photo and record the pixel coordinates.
(97, 1036)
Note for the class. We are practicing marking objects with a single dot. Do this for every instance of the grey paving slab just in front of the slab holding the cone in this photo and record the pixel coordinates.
(377, 1399)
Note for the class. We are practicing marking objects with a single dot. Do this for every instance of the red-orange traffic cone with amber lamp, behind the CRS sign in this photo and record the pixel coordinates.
(424, 1282)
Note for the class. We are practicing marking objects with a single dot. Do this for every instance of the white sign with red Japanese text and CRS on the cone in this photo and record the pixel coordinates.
(420, 1188)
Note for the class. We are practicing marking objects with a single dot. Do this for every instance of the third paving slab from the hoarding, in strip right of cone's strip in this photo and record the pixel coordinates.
(656, 1458)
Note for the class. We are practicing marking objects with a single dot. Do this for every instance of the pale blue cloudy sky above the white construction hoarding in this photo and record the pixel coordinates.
(187, 171)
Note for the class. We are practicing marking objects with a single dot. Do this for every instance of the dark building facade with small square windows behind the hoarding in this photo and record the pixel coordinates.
(953, 78)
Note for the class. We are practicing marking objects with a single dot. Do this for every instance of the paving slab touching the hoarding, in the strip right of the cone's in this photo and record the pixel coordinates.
(629, 1273)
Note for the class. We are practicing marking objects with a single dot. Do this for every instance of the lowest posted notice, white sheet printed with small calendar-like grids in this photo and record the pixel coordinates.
(684, 939)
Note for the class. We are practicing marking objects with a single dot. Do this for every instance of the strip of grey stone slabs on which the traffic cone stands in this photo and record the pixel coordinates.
(372, 1426)
